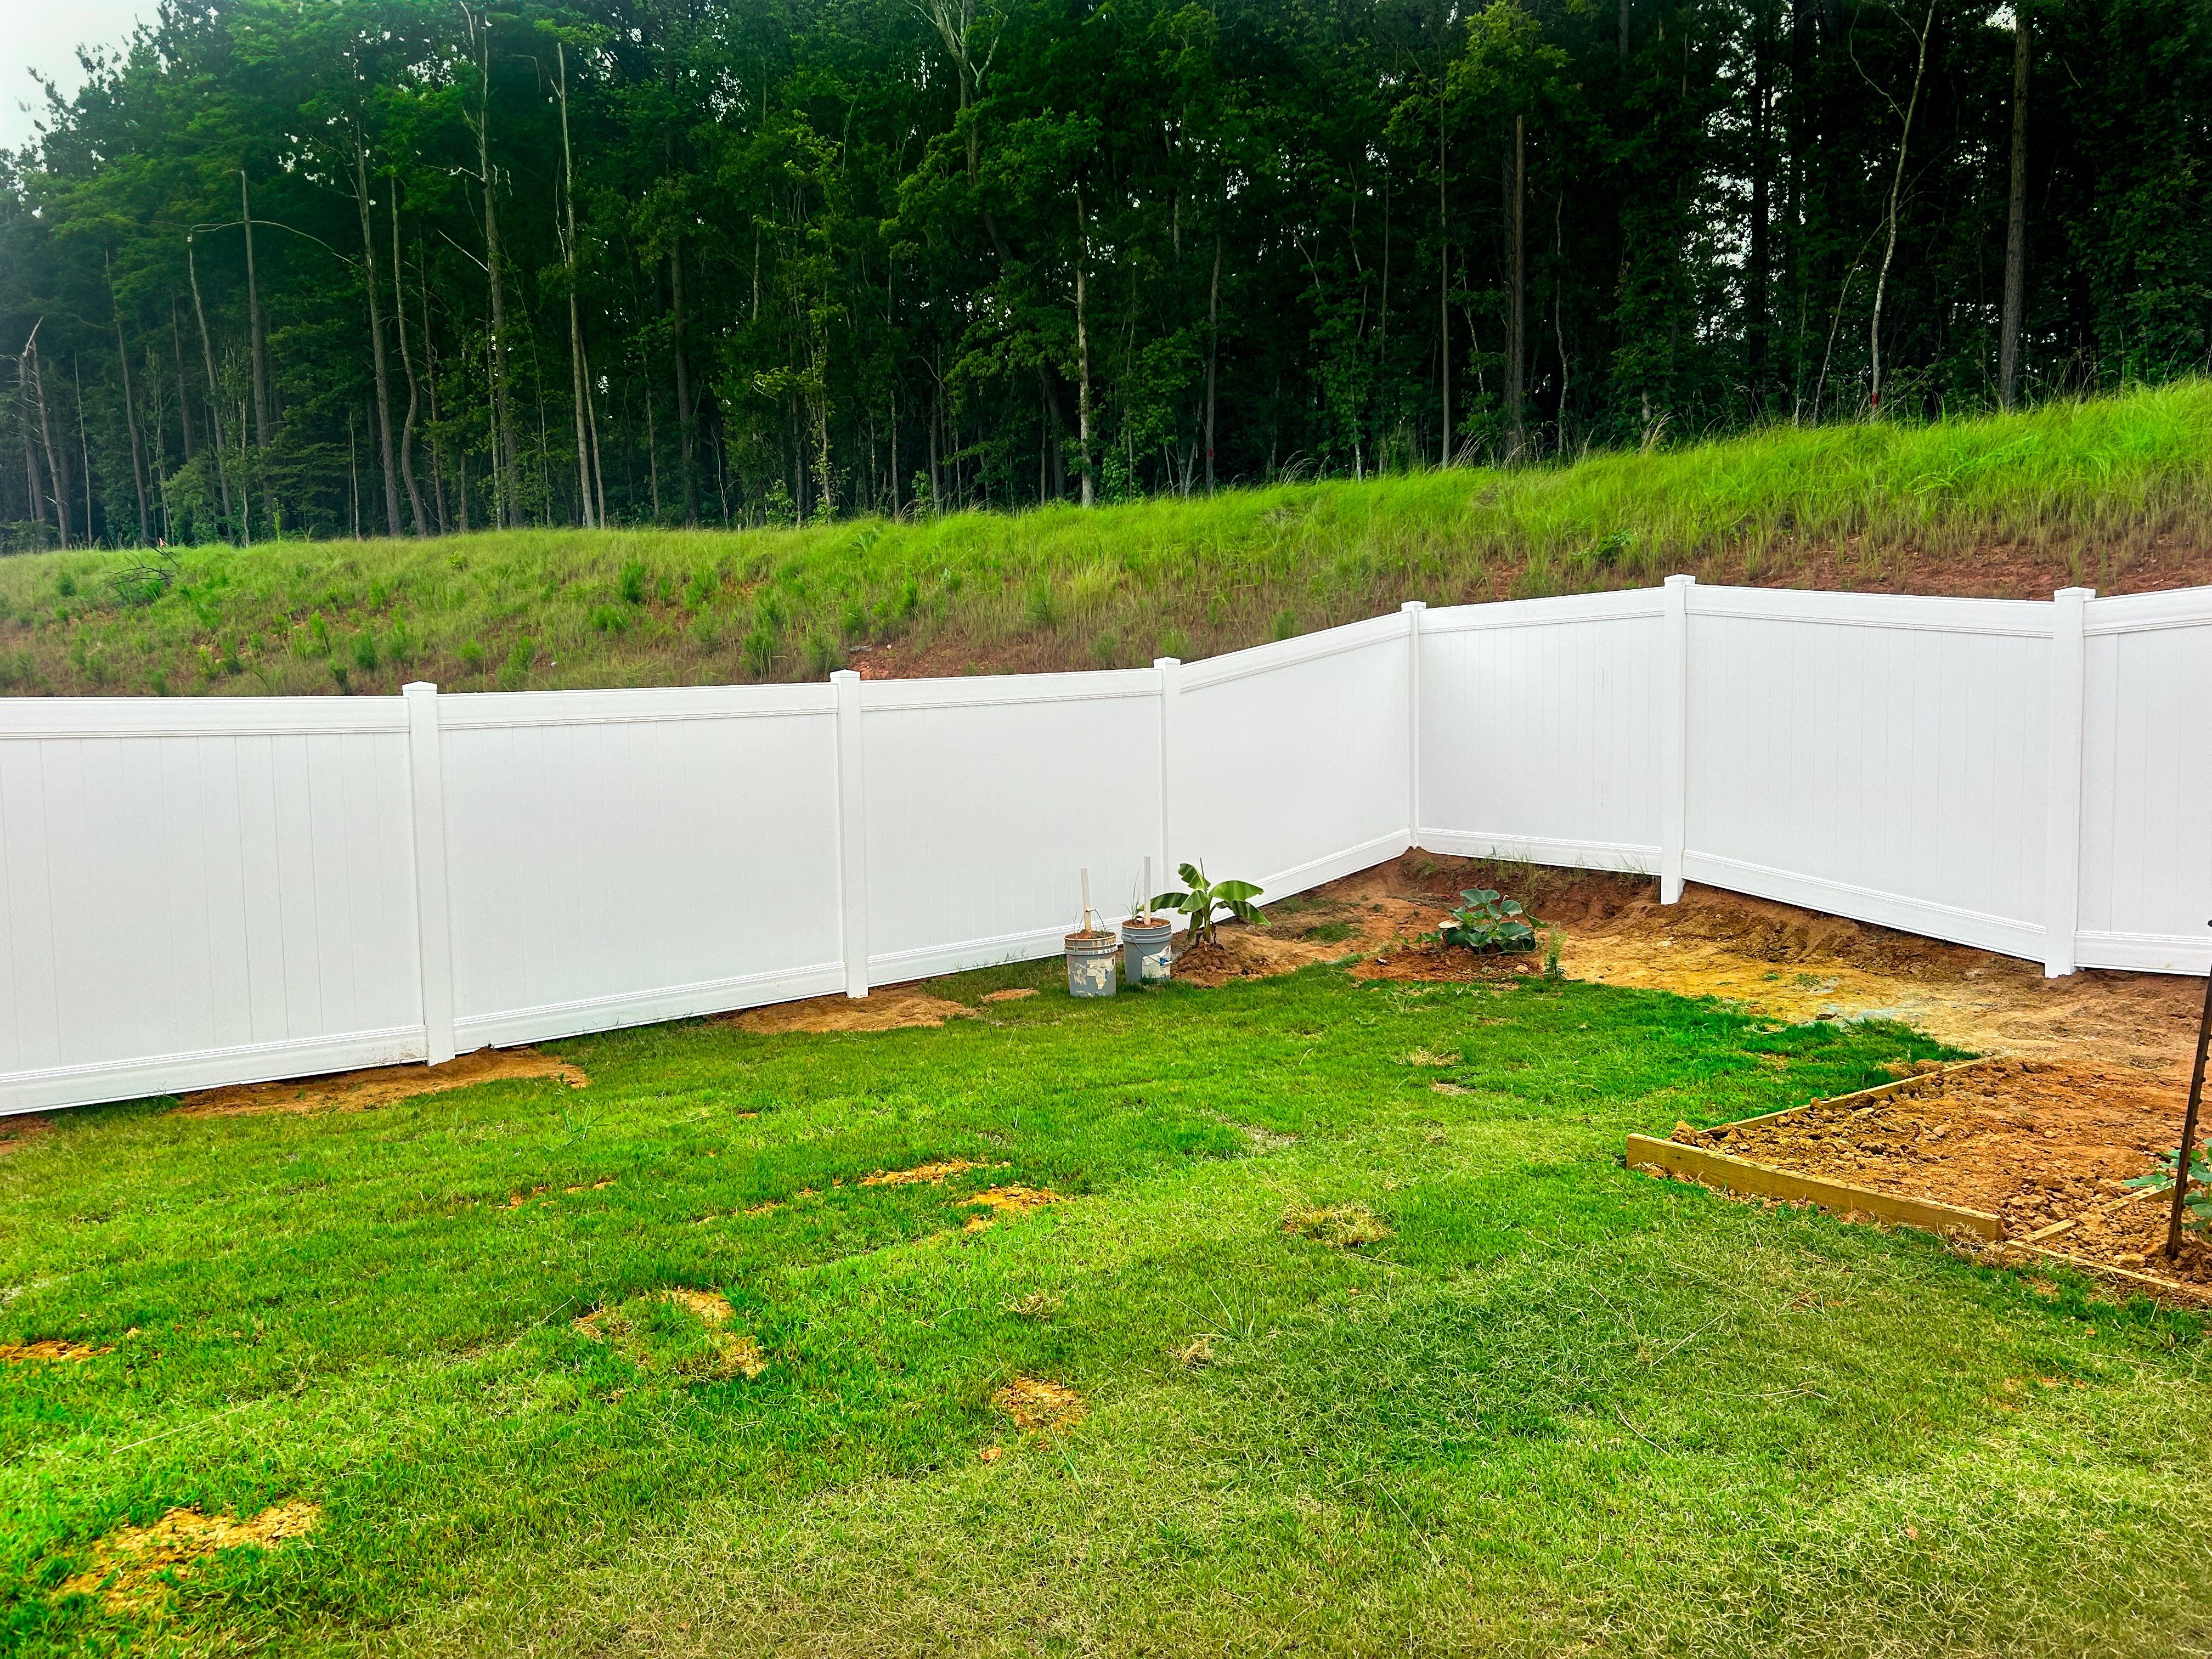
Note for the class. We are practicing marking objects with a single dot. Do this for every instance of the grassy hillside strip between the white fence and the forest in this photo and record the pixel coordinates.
(2114, 492)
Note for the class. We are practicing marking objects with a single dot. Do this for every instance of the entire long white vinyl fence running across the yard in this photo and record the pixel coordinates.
(231, 890)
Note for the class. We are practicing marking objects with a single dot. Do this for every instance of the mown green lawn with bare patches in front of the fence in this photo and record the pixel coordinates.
(1558, 1408)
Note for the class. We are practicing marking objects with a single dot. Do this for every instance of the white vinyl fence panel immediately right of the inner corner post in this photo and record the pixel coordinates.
(1541, 733)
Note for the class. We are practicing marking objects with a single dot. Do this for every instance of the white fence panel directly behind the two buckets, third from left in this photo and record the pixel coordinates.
(985, 802)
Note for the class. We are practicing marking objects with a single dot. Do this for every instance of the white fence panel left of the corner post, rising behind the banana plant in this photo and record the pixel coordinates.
(1291, 764)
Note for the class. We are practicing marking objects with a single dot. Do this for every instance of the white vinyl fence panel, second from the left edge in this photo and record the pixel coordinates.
(638, 855)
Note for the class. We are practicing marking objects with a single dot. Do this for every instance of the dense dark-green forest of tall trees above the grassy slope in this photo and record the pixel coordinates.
(406, 267)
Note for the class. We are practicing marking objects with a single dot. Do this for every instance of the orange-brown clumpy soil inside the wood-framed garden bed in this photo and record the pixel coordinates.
(2030, 1140)
